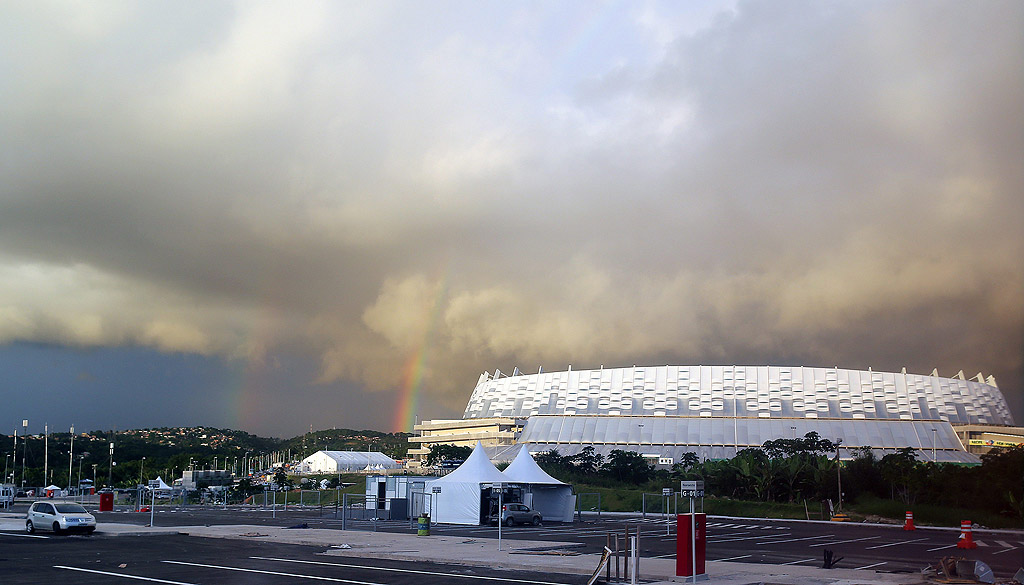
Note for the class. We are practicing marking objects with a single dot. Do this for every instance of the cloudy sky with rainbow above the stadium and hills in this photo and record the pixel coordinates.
(276, 216)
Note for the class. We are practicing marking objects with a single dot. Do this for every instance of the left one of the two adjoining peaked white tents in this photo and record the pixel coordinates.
(456, 498)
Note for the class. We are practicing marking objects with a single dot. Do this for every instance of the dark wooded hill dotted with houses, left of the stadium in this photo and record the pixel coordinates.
(168, 451)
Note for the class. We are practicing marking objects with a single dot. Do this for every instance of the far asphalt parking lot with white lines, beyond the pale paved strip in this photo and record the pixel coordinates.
(867, 548)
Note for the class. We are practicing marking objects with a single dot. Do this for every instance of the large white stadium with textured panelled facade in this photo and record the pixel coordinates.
(715, 411)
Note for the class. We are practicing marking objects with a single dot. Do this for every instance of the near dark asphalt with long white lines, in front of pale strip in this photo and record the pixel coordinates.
(181, 560)
